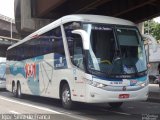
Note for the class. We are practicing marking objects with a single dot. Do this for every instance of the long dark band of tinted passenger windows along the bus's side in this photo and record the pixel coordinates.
(49, 42)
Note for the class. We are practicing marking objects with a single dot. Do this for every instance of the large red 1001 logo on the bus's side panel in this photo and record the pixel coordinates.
(30, 70)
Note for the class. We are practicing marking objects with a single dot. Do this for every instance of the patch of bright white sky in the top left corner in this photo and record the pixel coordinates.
(7, 8)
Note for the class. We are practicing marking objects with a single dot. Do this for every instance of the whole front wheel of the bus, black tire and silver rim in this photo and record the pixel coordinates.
(66, 97)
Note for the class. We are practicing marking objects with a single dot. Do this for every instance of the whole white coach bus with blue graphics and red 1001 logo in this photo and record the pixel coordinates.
(84, 58)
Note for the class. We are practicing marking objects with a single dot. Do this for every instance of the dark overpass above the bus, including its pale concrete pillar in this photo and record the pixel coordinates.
(31, 15)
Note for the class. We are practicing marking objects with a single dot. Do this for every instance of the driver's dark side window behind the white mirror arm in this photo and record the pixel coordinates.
(74, 44)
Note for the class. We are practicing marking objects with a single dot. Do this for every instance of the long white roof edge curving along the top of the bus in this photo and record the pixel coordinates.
(78, 17)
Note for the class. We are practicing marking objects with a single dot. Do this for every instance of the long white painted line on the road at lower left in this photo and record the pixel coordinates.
(29, 105)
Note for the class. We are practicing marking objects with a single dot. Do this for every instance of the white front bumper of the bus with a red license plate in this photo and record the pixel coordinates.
(98, 95)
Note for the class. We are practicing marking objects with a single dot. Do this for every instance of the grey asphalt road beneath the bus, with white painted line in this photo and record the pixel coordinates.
(52, 109)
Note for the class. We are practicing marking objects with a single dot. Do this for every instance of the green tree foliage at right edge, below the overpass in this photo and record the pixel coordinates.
(153, 28)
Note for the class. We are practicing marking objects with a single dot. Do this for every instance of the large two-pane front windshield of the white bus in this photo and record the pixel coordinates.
(115, 50)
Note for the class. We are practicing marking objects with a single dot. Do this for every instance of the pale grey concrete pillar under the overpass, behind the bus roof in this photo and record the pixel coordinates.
(28, 23)
